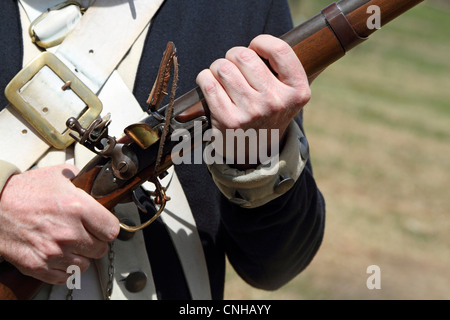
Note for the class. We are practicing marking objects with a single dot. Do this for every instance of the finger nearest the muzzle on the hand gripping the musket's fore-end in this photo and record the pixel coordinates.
(282, 59)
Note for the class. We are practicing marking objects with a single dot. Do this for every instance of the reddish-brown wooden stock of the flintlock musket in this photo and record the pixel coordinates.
(318, 42)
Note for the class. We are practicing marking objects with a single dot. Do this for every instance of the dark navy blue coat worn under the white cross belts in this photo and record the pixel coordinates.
(284, 234)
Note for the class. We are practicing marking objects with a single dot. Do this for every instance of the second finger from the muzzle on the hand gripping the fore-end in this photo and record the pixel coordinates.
(252, 67)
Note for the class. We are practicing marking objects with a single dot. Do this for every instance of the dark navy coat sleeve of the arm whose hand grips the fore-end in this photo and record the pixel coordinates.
(270, 244)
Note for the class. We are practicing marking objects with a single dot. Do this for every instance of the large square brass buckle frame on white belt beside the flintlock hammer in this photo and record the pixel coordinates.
(32, 114)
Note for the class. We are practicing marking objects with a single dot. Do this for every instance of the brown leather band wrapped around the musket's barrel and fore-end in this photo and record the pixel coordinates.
(341, 27)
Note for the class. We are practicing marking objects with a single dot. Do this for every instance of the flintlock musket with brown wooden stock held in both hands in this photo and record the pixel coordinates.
(124, 165)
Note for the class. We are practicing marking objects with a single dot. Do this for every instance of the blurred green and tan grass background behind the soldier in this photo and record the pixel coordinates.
(378, 126)
